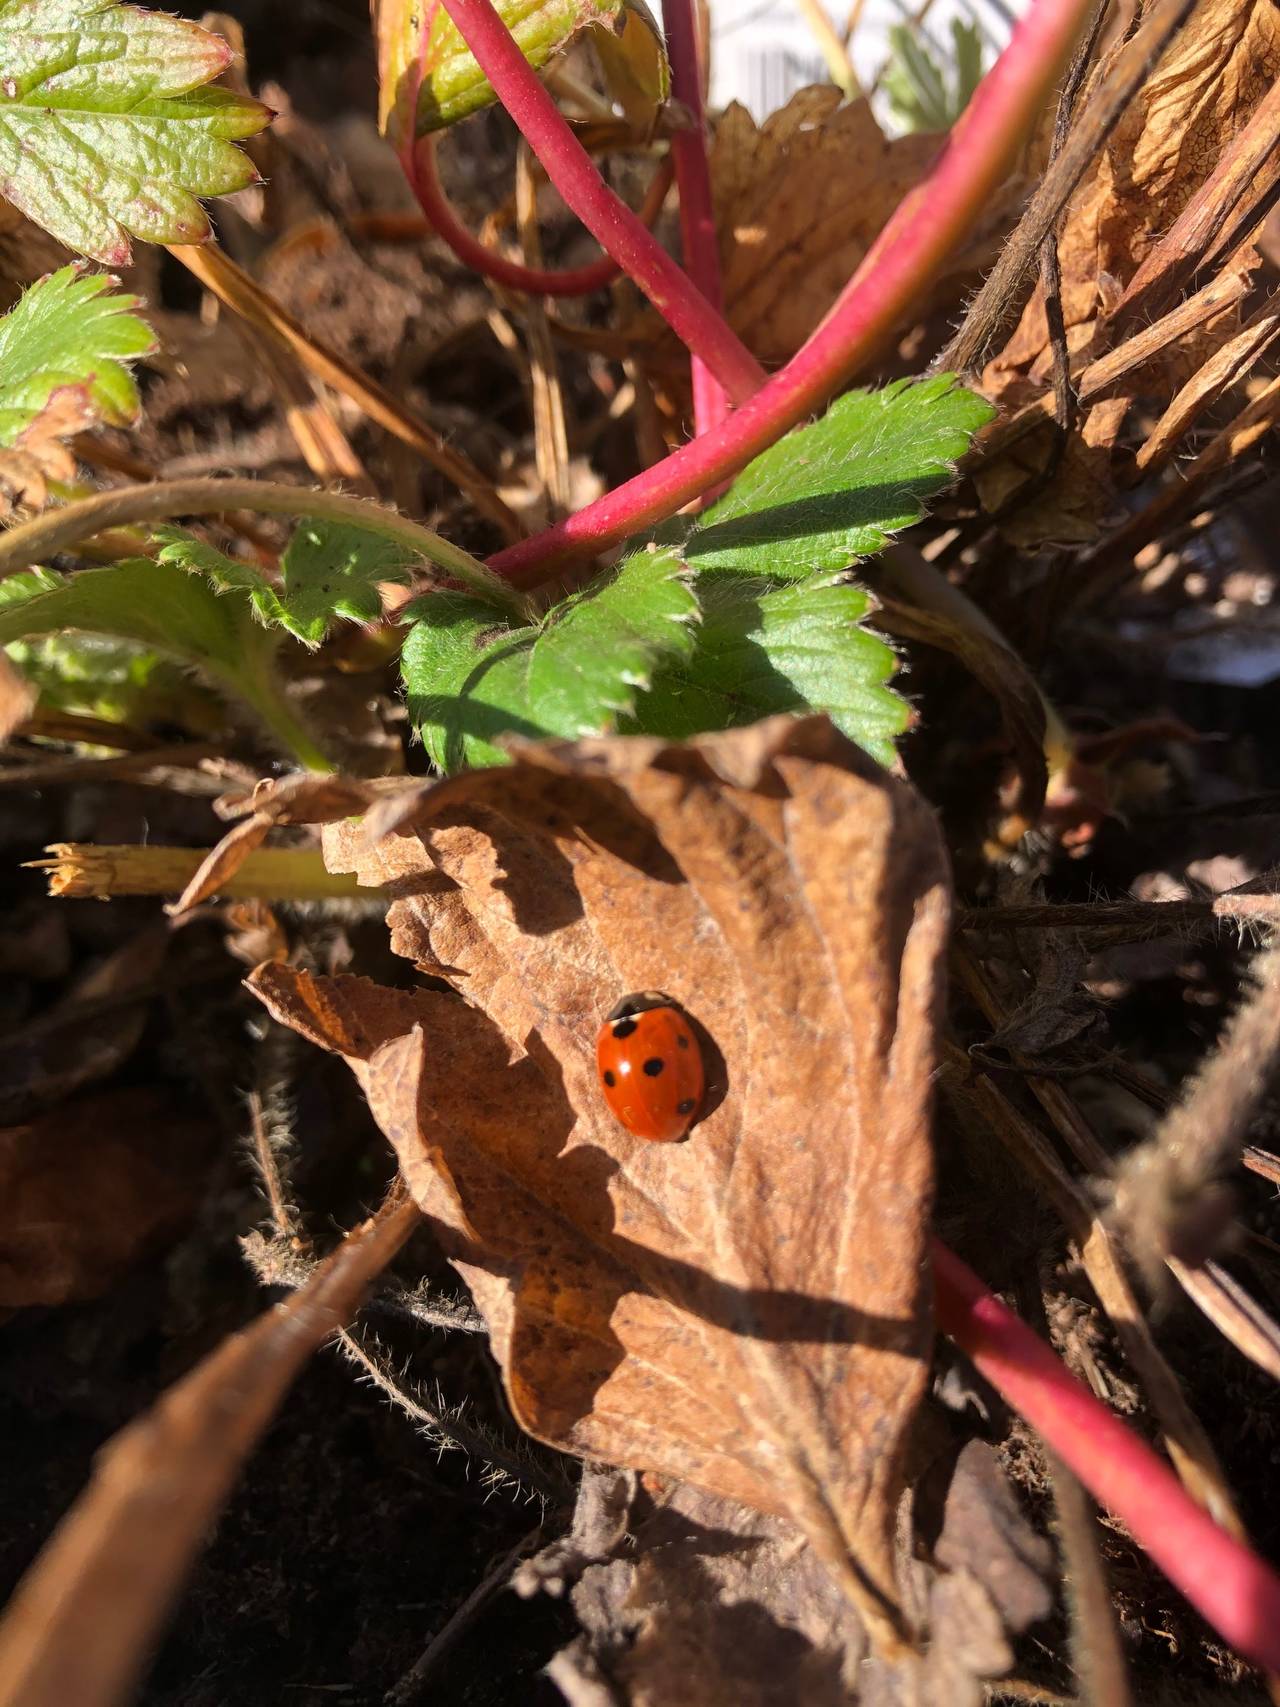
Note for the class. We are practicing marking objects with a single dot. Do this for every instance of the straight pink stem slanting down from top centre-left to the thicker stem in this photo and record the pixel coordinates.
(607, 218)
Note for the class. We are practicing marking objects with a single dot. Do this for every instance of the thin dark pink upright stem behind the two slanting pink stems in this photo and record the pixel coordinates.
(694, 178)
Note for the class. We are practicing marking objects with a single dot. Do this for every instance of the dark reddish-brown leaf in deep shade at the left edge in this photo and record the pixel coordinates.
(90, 1189)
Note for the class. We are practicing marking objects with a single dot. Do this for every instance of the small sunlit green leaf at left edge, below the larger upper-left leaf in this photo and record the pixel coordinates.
(69, 334)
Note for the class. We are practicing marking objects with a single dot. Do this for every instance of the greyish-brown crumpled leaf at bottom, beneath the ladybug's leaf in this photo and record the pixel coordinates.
(685, 1597)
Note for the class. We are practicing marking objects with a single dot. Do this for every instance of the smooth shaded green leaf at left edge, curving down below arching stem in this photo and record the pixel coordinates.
(182, 617)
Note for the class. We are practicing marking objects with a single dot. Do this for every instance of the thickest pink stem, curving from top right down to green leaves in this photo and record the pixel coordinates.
(922, 233)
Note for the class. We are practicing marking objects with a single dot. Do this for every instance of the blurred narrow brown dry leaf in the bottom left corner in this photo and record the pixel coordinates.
(83, 1623)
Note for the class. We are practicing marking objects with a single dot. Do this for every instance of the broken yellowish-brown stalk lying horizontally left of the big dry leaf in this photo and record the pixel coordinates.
(84, 870)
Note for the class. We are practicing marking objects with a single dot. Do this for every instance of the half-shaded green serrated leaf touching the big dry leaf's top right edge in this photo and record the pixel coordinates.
(779, 648)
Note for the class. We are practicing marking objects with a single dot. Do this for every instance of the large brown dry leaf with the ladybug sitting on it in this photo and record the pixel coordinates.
(750, 1310)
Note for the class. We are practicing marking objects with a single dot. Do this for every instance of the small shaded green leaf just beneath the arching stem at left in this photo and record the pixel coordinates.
(329, 569)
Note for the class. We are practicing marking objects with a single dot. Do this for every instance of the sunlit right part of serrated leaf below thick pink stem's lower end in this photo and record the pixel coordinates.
(600, 650)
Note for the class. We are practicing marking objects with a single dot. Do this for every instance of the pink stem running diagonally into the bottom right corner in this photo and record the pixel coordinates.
(1225, 1582)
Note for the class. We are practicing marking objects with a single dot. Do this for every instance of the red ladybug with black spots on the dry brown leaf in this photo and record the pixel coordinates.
(651, 1068)
